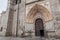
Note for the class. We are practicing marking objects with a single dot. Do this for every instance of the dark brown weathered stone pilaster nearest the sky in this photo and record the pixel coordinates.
(10, 18)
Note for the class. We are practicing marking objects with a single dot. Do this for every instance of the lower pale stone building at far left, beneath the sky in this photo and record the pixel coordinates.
(3, 24)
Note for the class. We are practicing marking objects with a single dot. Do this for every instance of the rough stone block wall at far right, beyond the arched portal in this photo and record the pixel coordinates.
(54, 4)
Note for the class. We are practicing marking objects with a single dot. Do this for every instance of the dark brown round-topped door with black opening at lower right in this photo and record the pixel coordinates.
(39, 27)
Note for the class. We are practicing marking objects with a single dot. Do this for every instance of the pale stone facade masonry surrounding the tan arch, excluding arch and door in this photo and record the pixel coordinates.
(52, 27)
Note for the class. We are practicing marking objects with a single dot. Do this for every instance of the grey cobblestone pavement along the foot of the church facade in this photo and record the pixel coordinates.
(27, 38)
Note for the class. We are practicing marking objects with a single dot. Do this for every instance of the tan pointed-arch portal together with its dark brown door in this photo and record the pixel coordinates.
(38, 21)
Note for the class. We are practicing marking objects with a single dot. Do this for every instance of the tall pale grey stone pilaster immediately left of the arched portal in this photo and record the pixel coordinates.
(22, 15)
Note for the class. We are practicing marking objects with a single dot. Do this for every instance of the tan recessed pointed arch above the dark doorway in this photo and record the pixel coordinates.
(39, 8)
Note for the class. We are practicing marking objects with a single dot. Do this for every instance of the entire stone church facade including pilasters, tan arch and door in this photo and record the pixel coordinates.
(32, 18)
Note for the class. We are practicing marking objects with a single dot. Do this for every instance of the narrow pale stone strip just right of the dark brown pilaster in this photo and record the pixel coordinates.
(14, 22)
